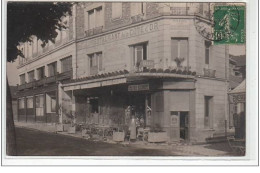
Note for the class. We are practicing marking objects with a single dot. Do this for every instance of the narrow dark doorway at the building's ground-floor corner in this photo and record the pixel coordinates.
(184, 125)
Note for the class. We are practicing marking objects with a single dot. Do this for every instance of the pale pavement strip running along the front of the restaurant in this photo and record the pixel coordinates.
(213, 149)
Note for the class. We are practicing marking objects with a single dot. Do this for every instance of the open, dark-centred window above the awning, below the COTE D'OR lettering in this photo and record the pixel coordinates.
(140, 54)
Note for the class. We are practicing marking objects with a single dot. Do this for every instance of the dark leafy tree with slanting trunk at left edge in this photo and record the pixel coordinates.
(24, 20)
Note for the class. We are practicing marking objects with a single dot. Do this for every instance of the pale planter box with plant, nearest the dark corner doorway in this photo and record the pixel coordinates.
(157, 134)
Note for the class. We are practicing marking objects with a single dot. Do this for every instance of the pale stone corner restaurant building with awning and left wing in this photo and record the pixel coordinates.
(145, 60)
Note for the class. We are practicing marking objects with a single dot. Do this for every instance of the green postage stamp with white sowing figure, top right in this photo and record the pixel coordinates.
(229, 24)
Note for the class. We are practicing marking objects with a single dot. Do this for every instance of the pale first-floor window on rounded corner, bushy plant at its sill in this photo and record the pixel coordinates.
(179, 51)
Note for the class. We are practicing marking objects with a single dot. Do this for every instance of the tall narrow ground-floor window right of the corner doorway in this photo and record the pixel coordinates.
(208, 111)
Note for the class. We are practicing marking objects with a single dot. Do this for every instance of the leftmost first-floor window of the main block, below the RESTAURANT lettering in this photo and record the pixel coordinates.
(95, 62)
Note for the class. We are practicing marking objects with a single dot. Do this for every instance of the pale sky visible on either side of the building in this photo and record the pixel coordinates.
(12, 73)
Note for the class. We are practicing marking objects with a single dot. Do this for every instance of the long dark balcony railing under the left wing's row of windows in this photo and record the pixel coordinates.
(46, 80)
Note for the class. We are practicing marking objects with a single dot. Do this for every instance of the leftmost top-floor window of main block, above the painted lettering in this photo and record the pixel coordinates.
(95, 18)
